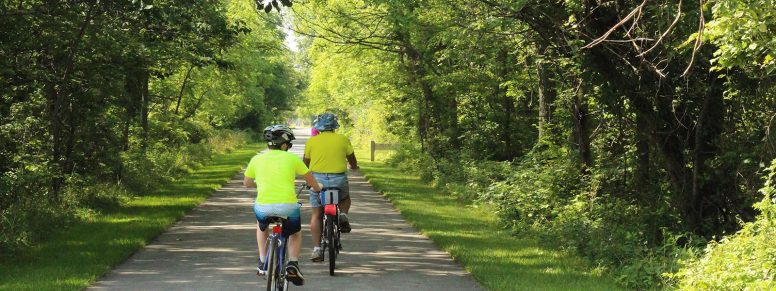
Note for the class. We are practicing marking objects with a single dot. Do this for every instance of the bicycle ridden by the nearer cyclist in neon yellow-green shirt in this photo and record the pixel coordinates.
(277, 252)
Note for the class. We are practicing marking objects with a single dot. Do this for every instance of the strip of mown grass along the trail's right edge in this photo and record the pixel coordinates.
(496, 259)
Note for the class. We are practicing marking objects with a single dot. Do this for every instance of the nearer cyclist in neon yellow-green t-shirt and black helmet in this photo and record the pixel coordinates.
(273, 174)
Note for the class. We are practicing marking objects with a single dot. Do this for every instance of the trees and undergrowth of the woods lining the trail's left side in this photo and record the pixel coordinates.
(103, 100)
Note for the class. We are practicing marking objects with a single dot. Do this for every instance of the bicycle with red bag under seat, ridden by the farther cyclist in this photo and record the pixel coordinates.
(330, 236)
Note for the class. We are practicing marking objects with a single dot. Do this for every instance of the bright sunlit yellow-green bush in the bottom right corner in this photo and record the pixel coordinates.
(744, 260)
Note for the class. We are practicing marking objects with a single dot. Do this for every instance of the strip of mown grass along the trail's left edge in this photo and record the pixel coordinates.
(74, 258)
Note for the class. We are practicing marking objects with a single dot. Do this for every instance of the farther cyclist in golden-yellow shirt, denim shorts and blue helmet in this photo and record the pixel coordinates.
(327, 154)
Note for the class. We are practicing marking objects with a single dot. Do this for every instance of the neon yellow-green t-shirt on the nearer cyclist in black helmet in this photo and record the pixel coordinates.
(274, 172)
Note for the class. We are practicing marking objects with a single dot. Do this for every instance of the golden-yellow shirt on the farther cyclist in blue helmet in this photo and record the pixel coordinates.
(327, 152)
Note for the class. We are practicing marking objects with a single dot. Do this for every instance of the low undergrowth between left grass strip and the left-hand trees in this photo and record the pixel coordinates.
(30, 219)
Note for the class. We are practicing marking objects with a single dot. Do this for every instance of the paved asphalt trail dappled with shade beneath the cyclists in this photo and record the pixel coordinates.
(214, 248)
